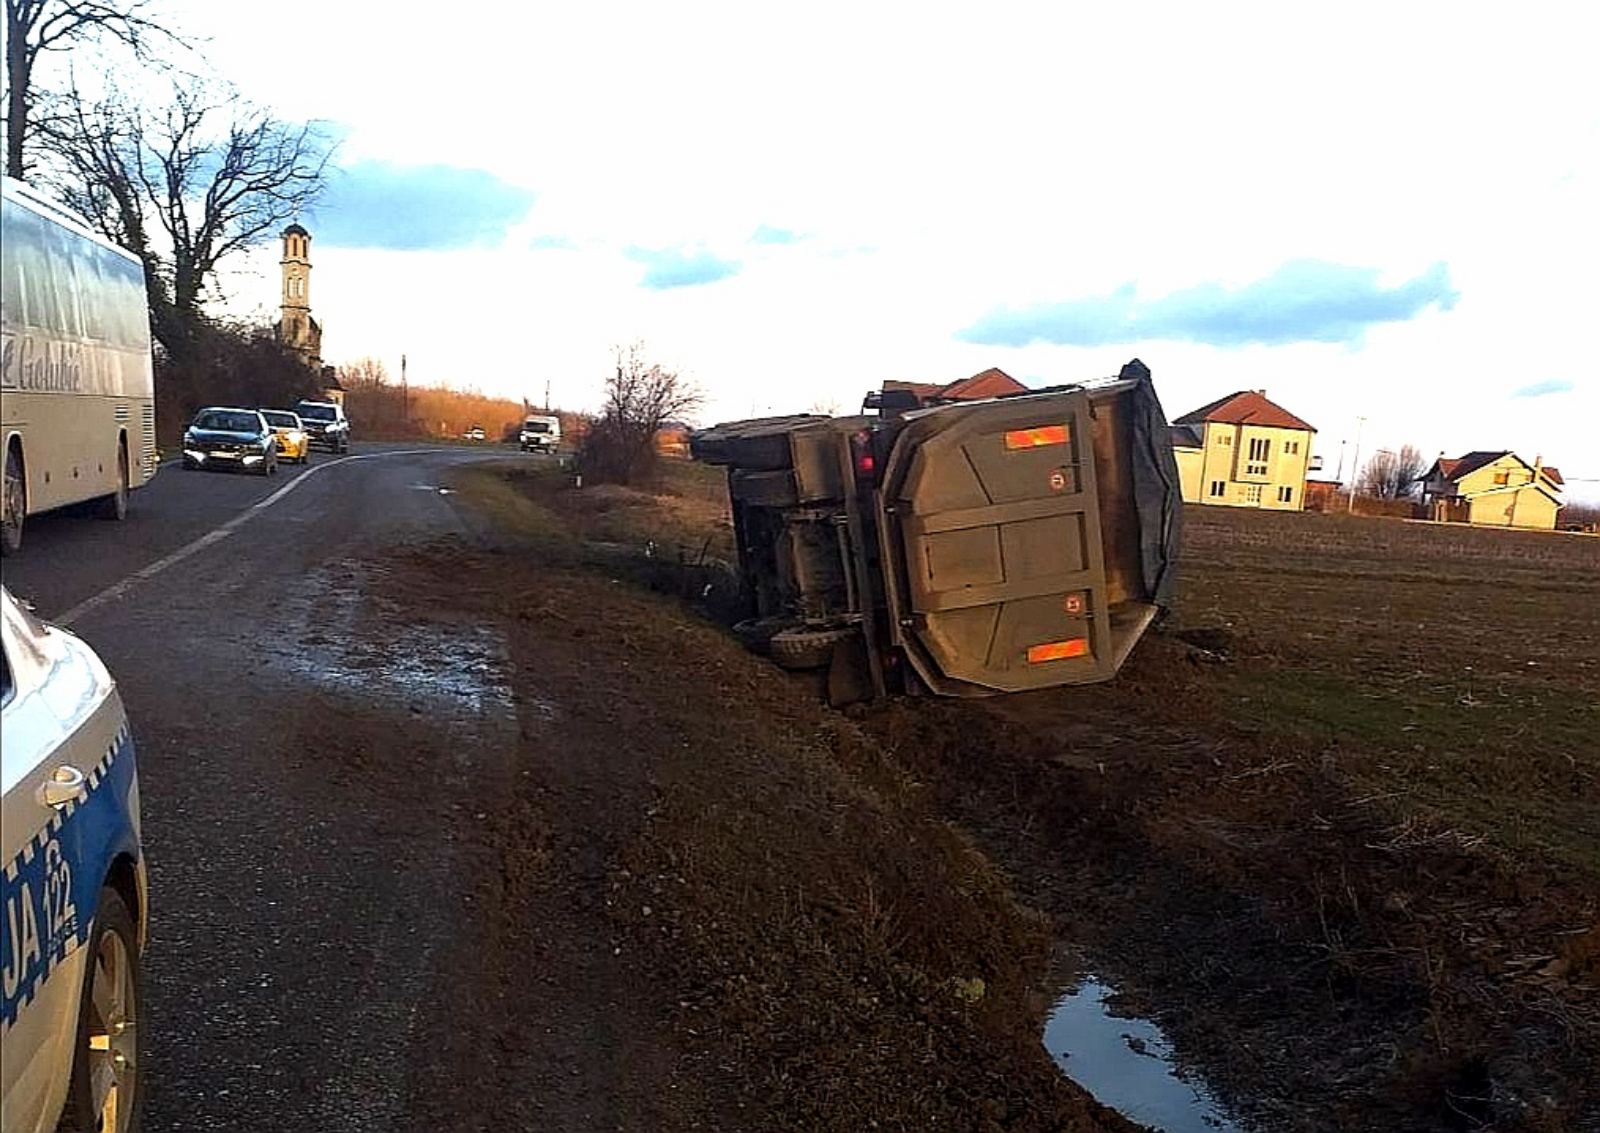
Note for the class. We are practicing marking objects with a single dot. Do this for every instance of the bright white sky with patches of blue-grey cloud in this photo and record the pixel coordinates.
(1382, 215)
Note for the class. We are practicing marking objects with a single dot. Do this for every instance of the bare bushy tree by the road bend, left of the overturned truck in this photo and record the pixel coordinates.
(622, 442)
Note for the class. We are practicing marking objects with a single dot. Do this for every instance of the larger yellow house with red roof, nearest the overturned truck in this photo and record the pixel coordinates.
(1244, 452)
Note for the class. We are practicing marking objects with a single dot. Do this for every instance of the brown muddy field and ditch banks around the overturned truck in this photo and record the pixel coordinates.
(1335, 828)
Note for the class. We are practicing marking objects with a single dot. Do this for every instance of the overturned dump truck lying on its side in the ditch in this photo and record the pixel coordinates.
(967, 550)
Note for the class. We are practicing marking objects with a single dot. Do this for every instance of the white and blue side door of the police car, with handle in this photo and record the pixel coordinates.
(38, 980)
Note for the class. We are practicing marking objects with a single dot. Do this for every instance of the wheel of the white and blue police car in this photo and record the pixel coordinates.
(105, 1092)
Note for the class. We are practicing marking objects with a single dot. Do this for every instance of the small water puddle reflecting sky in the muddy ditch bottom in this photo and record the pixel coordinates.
(1129, 1065)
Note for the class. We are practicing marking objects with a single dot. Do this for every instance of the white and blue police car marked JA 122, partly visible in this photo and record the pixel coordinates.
(73, 895)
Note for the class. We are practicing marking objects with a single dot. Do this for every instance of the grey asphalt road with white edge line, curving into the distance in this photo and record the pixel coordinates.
(302, 905)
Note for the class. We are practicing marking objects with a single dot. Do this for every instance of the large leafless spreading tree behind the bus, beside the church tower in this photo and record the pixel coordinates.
(183, 186)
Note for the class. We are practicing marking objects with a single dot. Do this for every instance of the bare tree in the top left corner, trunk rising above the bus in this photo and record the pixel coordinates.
(39, 26)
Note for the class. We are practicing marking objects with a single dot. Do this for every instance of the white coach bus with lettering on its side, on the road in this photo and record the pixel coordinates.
(78, 390)
